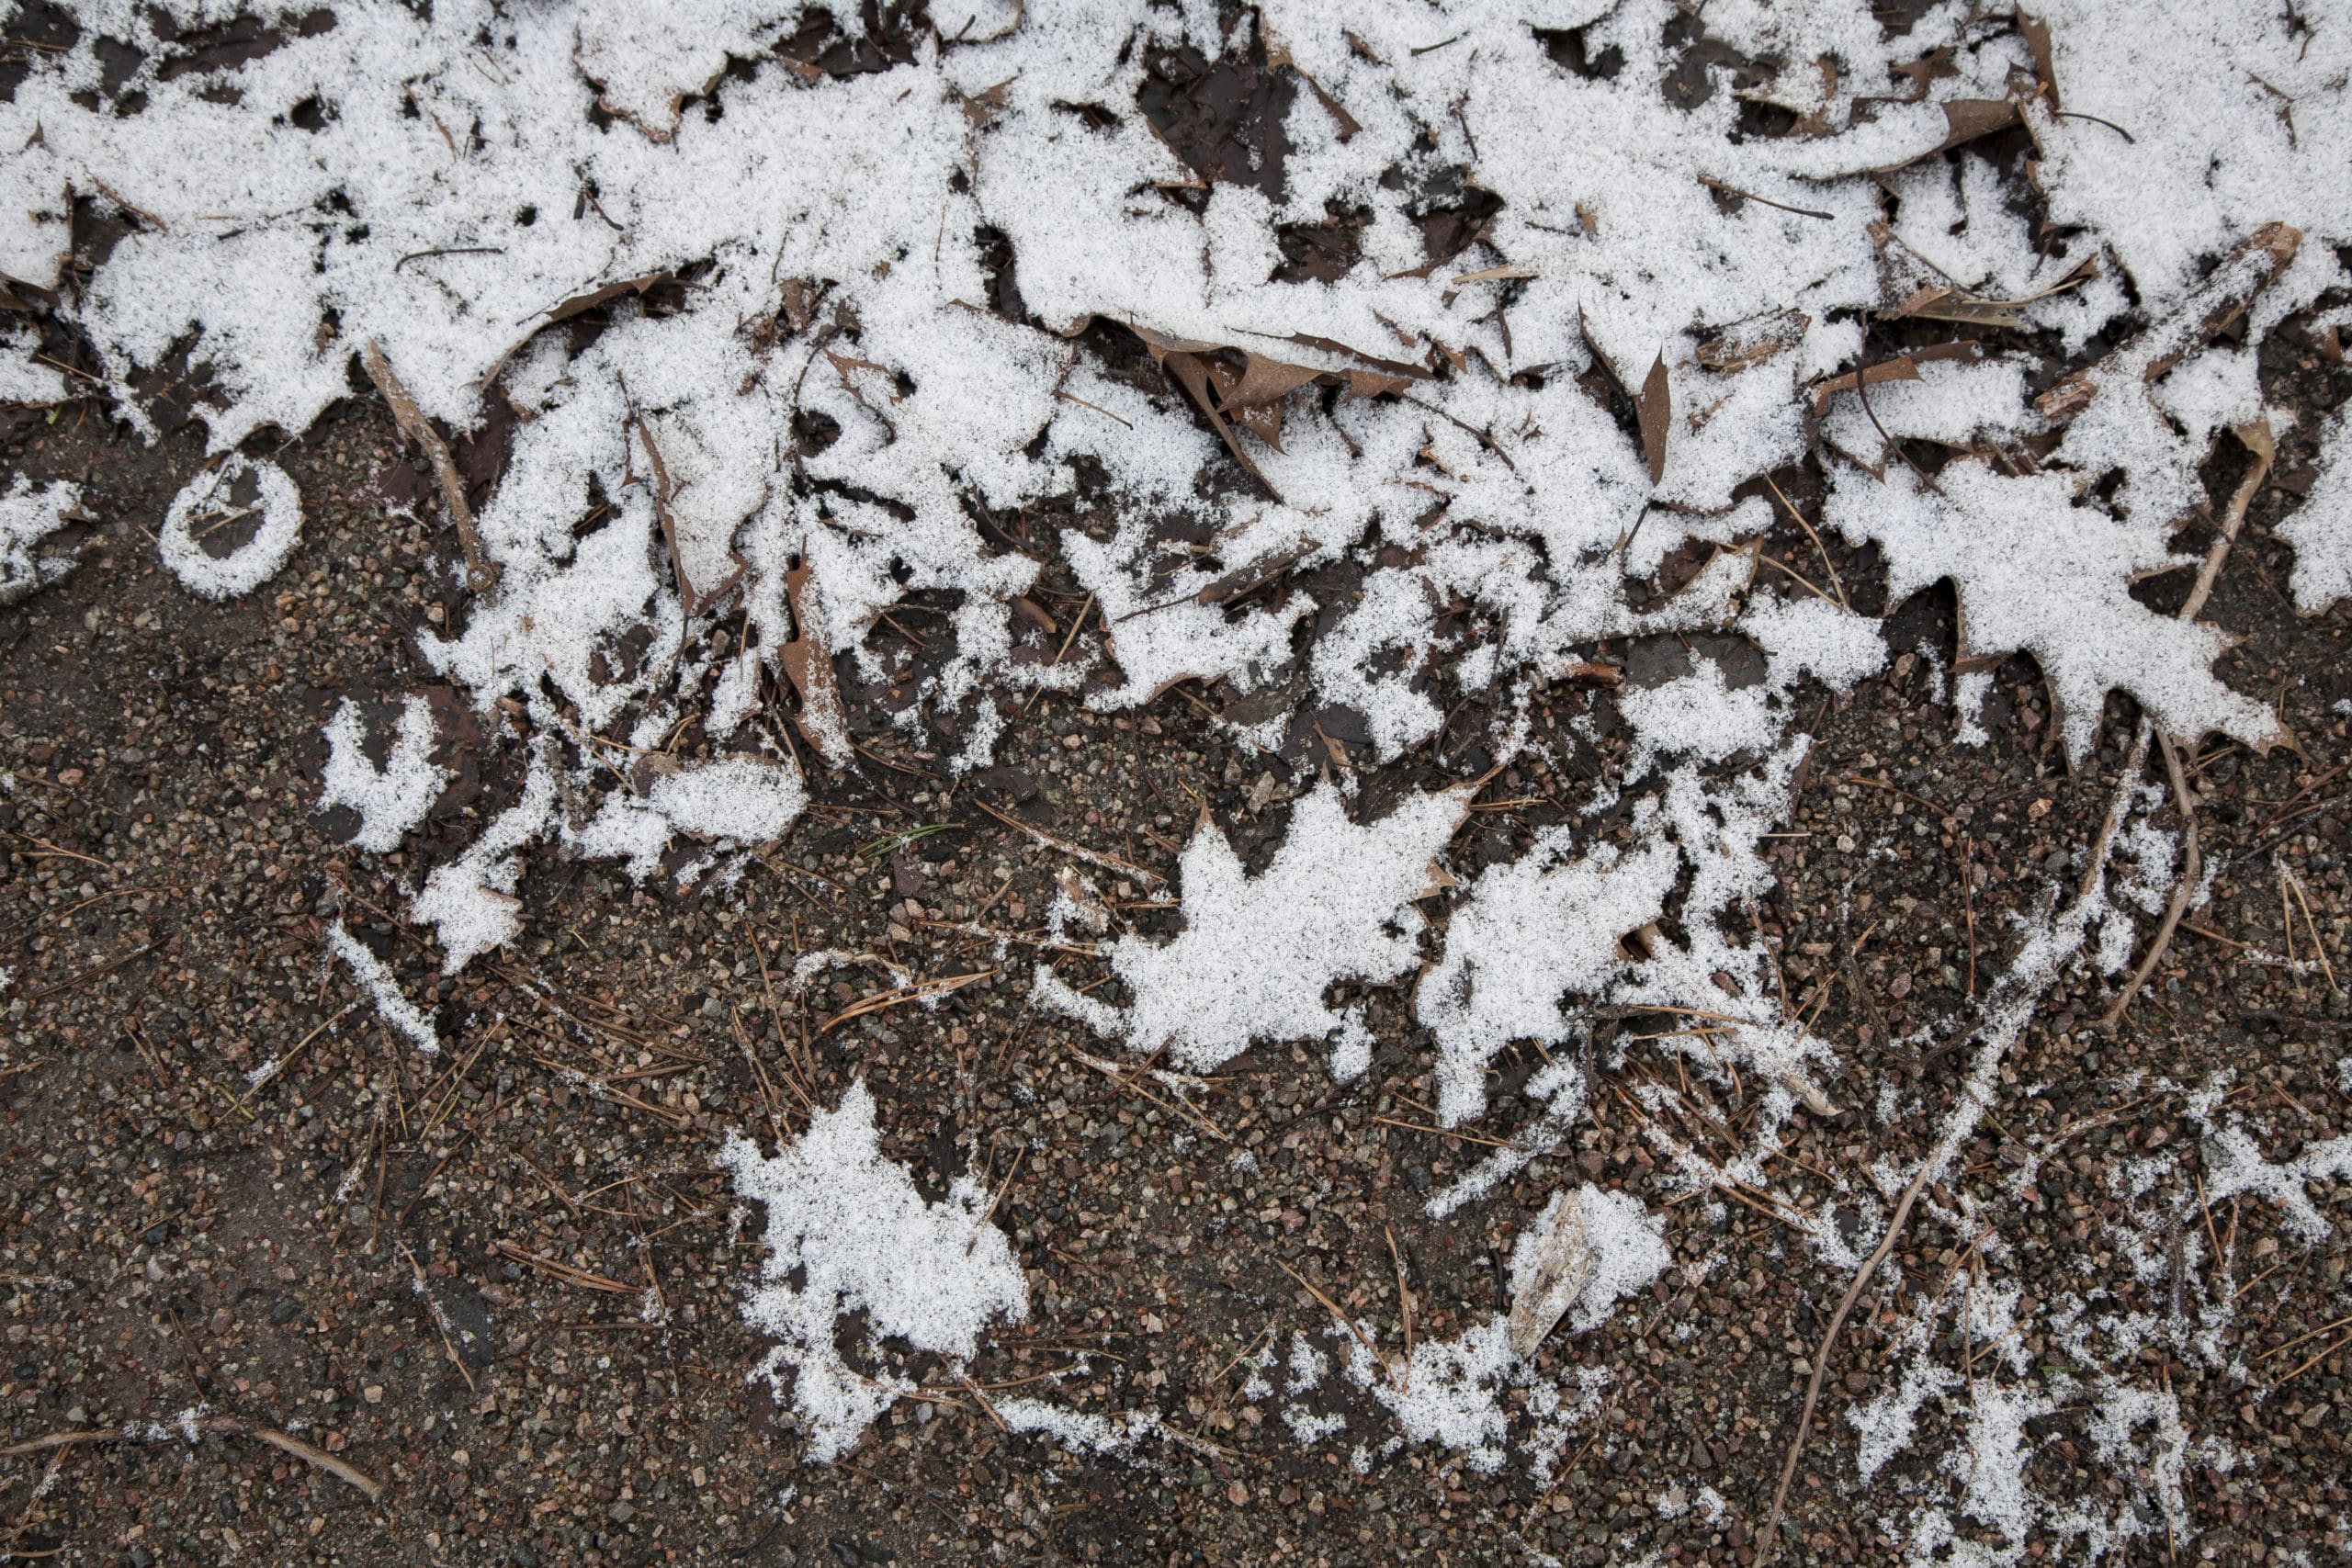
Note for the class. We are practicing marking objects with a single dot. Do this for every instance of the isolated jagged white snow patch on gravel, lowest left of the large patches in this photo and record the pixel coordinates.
(848, 1233)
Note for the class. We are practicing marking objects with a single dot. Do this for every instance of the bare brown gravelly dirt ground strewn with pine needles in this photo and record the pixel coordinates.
(434, 1268)
